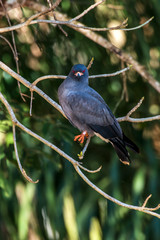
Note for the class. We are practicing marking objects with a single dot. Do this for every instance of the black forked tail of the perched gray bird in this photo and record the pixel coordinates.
(120, 148)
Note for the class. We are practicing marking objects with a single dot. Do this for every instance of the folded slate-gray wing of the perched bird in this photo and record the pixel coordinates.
(89, 110)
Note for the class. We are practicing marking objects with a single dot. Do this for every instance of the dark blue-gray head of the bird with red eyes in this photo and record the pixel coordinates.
(79, 72)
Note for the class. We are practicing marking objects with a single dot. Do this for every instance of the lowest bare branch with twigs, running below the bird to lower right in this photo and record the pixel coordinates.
(77, 166)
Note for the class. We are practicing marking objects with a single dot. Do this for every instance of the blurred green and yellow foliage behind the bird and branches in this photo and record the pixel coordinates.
(62, 205)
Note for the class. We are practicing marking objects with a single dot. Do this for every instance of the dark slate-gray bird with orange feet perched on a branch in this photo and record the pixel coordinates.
(87, 111)
